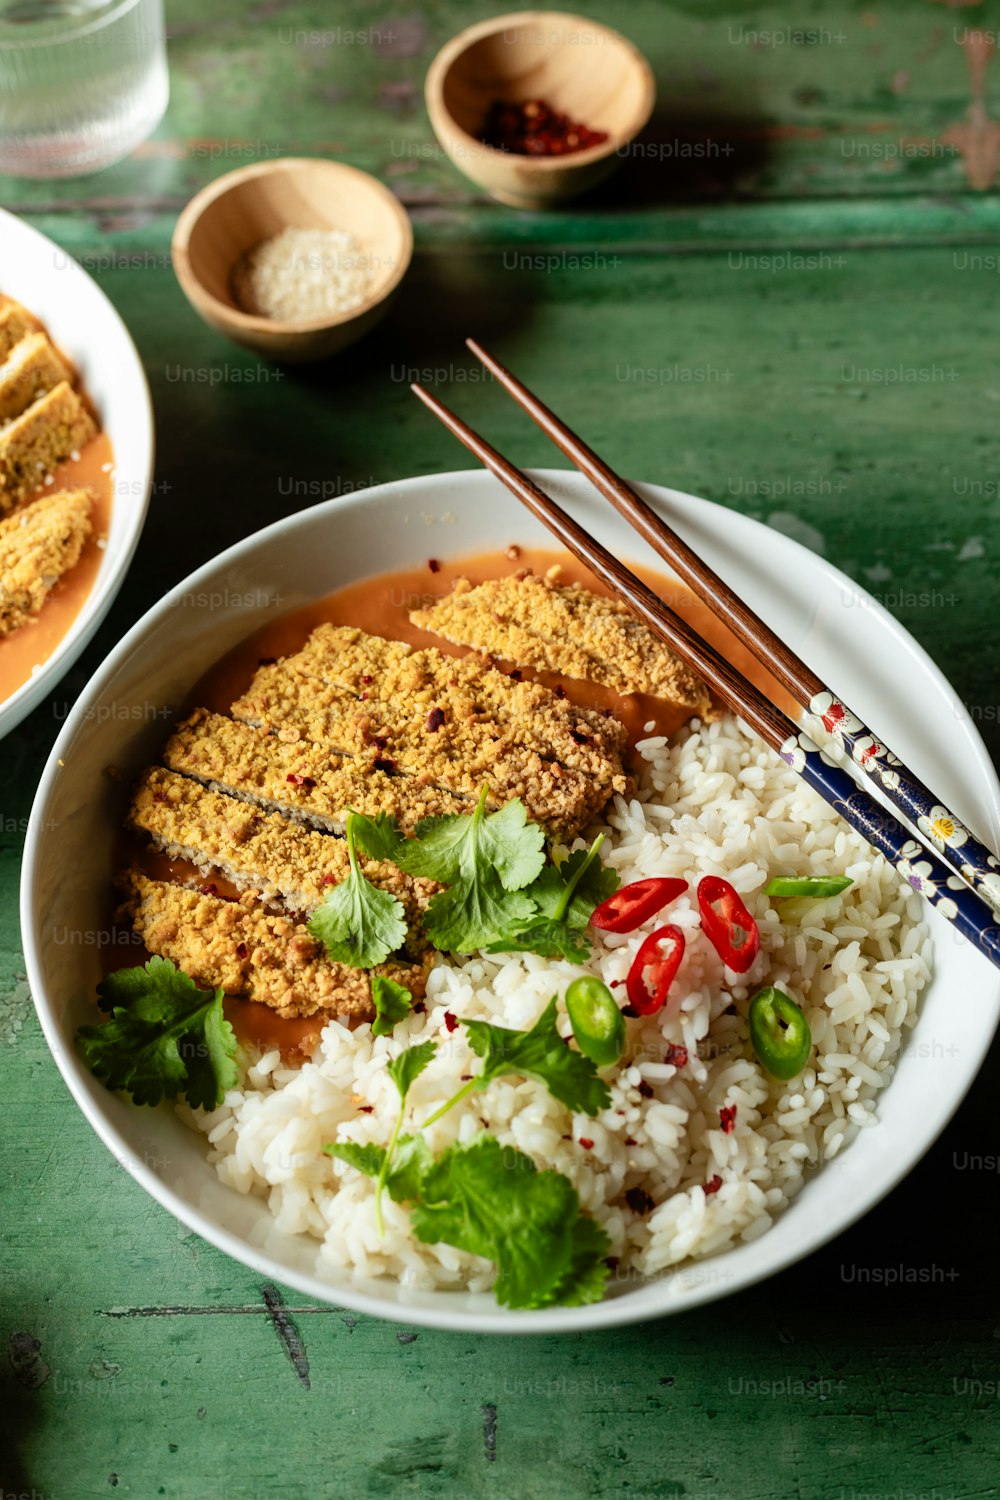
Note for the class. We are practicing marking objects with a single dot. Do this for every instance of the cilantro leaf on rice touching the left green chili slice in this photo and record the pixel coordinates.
(542, 1054)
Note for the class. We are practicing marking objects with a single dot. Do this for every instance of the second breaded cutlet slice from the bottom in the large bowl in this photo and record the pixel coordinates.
(265, 853)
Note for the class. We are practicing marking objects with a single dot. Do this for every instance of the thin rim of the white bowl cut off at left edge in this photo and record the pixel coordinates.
(104, 592)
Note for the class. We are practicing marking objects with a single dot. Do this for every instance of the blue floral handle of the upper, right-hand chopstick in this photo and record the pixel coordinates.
(962, 850)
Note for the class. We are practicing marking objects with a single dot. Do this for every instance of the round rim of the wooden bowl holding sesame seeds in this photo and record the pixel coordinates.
(197, 292)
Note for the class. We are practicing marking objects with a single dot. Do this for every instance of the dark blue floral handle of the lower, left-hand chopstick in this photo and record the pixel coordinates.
(945, 890)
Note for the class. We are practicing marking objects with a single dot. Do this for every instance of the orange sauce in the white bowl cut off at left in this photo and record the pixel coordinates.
(35, 641)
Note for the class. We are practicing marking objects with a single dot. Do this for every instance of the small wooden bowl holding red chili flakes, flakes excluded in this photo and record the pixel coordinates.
(578, 67)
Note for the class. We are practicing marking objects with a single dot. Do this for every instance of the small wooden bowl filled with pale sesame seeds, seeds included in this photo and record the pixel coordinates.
(295, 259)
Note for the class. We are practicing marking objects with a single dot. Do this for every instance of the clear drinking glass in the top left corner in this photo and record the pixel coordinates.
(82, 83)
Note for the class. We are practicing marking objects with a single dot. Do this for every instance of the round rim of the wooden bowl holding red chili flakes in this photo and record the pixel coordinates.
(472, 146)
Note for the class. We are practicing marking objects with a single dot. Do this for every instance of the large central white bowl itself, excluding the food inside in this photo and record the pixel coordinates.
(840, 631)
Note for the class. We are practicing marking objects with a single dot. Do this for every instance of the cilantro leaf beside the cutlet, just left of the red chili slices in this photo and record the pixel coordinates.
(564, 896)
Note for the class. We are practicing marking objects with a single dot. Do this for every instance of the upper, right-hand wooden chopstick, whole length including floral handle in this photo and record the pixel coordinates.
(974, 862)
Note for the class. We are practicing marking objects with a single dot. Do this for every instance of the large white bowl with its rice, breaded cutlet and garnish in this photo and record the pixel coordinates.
(482, 971)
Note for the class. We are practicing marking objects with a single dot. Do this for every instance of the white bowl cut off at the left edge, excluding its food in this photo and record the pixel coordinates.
(83, 323)
